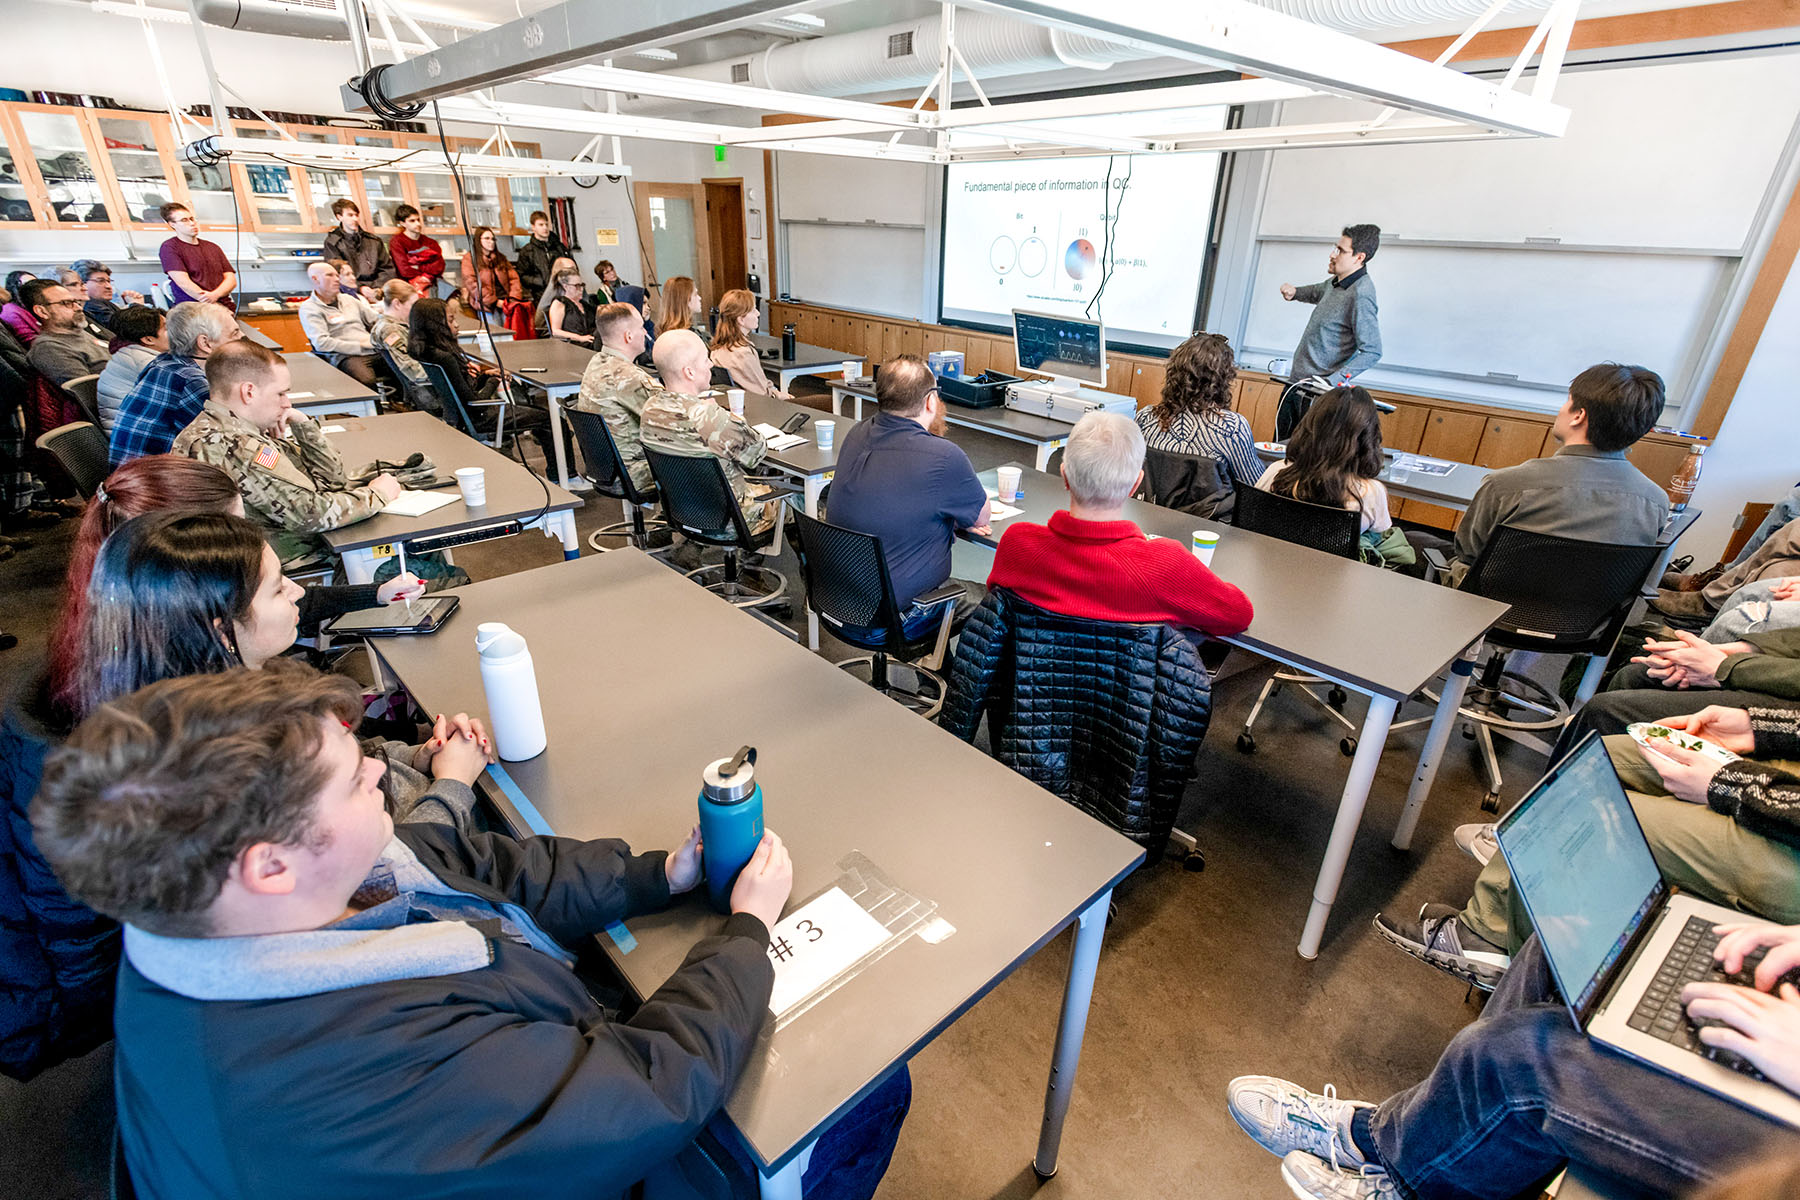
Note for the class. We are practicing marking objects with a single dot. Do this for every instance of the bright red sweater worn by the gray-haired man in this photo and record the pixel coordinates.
(1111, 571)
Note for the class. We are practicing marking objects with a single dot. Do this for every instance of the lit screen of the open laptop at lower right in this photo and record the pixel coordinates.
(1583, 870)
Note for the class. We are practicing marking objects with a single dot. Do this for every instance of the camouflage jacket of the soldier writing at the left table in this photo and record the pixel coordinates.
(292, 487)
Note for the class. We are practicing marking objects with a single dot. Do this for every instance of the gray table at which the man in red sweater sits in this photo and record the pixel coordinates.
(1372, 631)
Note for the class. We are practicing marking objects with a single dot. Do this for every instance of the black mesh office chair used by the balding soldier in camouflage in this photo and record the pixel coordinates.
(697, 503)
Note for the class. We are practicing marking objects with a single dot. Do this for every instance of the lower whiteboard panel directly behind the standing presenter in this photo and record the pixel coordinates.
(1542, 316)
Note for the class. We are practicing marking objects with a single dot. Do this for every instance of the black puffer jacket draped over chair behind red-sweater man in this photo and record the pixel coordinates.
(1106, 715)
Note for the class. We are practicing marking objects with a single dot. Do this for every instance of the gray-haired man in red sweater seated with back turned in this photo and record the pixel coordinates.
(1092, 562)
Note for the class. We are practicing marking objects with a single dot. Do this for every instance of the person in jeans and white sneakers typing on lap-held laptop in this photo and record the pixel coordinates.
(1637, 1034)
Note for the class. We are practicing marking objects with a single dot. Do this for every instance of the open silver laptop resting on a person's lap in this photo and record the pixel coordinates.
(1619, 940)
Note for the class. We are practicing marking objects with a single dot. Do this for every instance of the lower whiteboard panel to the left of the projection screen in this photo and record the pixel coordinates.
(868, 271)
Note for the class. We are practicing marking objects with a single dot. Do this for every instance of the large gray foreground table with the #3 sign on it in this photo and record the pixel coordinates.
(638, 699)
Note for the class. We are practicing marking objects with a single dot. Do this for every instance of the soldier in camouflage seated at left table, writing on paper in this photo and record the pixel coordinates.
(291, 478)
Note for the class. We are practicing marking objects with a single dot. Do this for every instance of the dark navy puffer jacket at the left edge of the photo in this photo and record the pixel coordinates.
(58, 958)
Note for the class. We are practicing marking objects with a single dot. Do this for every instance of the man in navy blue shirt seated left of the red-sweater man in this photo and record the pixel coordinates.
(910, 487)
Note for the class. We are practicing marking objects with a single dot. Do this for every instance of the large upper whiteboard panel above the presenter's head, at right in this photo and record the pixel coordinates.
(1671, 156)
